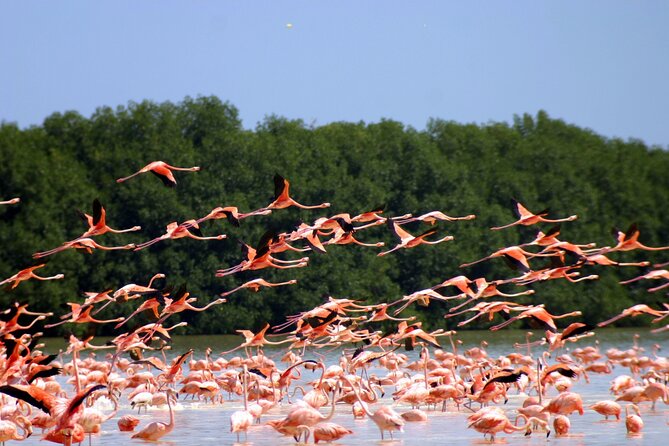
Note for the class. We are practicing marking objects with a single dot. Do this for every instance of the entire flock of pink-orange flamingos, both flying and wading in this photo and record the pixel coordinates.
(33, 398)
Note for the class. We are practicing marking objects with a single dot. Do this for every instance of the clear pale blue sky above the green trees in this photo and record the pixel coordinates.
(601, 64)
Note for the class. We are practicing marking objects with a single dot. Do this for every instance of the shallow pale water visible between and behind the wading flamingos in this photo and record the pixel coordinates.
(199, 423)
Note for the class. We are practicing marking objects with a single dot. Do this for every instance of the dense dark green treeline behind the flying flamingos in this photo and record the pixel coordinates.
(460, 169)
